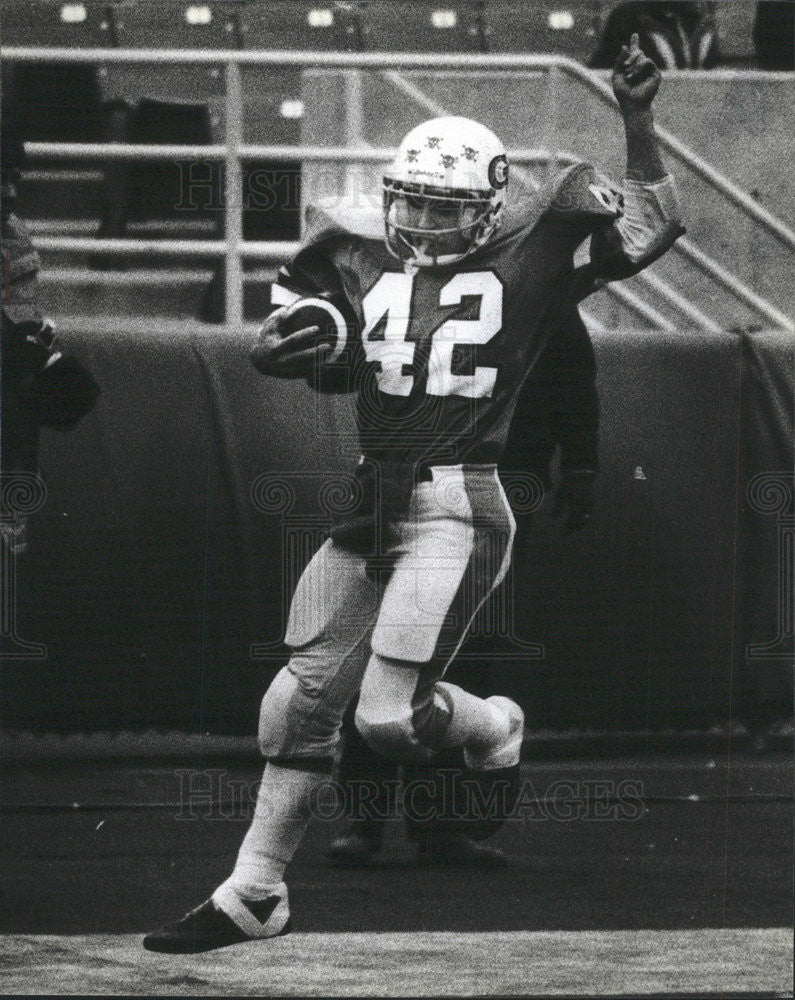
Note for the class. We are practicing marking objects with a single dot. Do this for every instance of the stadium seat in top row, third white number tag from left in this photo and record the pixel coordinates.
(323, 26)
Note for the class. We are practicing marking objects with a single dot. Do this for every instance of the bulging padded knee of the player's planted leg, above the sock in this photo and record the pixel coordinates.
(294, 723)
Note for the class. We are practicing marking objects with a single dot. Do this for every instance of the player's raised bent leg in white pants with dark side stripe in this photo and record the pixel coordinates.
(454, 550)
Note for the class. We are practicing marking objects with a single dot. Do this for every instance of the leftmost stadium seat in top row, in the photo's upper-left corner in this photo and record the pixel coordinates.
(56, 24)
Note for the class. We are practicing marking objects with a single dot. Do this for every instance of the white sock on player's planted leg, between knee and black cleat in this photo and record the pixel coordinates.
(280, 819)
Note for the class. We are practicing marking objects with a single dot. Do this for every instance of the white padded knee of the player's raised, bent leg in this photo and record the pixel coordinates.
(386, 716)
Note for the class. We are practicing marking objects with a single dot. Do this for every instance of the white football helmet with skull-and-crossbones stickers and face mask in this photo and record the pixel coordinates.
(444, 192)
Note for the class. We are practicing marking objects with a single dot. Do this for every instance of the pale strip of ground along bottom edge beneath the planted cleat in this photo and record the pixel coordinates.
(717, 962)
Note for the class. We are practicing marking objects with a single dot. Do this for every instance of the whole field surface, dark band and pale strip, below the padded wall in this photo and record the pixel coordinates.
(691, 896)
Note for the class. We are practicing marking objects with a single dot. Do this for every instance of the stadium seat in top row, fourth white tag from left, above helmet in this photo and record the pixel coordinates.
(431, 26)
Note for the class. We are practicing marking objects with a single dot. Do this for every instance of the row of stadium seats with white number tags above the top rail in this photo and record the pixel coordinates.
(570, 27)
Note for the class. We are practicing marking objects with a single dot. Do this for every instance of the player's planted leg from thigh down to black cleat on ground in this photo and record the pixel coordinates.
(331, 619)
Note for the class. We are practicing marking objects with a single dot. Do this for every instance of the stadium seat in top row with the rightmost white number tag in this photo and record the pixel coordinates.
(566, 28)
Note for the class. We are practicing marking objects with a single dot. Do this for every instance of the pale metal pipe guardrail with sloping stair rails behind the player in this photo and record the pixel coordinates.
(234, 152)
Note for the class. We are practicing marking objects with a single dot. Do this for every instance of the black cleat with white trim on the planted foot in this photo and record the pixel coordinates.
(208, 927)
